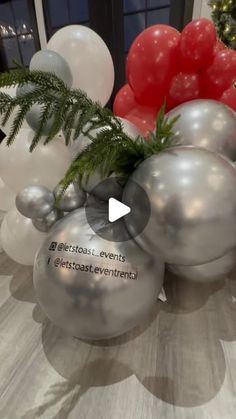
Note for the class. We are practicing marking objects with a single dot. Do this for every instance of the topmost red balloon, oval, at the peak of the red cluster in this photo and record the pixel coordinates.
(197, 44)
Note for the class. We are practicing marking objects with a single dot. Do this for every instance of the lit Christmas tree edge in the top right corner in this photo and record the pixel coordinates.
(224, 16)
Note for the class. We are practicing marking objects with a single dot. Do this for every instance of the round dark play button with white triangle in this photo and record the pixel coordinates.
(108, 213)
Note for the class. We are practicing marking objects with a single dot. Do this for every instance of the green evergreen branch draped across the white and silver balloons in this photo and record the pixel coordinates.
(111, 149)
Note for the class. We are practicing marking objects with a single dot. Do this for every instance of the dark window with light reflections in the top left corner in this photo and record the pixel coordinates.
(18, 33)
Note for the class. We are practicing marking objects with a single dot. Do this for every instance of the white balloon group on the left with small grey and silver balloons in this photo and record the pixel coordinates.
(81, 59)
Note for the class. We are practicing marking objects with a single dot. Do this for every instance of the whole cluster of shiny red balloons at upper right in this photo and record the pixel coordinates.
(164, 64)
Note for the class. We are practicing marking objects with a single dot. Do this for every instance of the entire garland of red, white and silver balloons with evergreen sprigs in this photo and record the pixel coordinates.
(91, 287)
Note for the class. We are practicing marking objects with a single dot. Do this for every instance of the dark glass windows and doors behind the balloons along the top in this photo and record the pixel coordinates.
(118, 22)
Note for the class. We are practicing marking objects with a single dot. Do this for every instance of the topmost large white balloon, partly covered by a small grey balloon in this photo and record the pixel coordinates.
(89, 60)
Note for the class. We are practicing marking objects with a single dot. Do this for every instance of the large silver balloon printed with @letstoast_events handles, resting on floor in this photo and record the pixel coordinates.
(91, 287)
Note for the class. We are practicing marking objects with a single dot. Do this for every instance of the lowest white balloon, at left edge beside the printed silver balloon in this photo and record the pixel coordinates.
(19, 238)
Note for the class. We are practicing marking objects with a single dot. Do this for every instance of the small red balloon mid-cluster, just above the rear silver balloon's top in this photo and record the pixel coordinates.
(183, 87)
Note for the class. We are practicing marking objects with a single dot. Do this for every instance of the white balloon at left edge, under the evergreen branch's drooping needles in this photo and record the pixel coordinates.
(45, 166)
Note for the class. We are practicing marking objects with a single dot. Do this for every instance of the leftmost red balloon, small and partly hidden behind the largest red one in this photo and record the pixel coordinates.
(124, 101)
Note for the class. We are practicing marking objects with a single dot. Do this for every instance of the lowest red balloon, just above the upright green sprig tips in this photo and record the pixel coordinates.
(144, 118)
